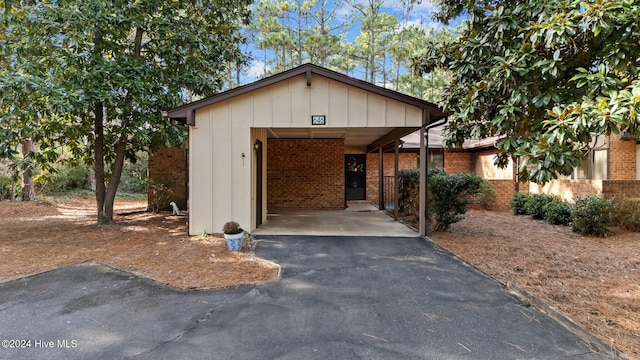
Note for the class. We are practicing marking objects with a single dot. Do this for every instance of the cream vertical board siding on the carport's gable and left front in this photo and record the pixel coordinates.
(222, 182)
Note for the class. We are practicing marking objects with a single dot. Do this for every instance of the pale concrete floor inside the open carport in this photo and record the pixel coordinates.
(358, 219)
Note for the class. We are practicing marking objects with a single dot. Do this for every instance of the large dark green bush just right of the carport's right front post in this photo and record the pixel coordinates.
(451, 194)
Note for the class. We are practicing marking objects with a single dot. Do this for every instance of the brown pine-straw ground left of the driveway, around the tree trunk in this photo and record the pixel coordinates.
(37, 236)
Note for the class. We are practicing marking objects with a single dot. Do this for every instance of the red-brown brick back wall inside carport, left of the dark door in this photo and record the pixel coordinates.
(305, 174)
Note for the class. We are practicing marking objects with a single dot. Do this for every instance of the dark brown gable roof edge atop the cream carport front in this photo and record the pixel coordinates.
(186, 113)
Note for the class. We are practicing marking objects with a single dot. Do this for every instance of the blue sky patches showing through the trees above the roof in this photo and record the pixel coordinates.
(420, 15)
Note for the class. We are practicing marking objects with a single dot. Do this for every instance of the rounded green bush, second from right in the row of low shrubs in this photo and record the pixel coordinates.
(592, 215)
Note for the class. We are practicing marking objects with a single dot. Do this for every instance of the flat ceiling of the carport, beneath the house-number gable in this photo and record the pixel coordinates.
(356, 136)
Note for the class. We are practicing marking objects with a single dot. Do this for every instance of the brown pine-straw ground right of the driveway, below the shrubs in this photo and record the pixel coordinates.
(593, 281)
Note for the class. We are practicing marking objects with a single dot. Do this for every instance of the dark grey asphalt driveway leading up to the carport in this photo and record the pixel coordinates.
(338, 298)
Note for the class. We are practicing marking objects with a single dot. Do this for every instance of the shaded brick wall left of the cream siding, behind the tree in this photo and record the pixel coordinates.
(168, 166)
